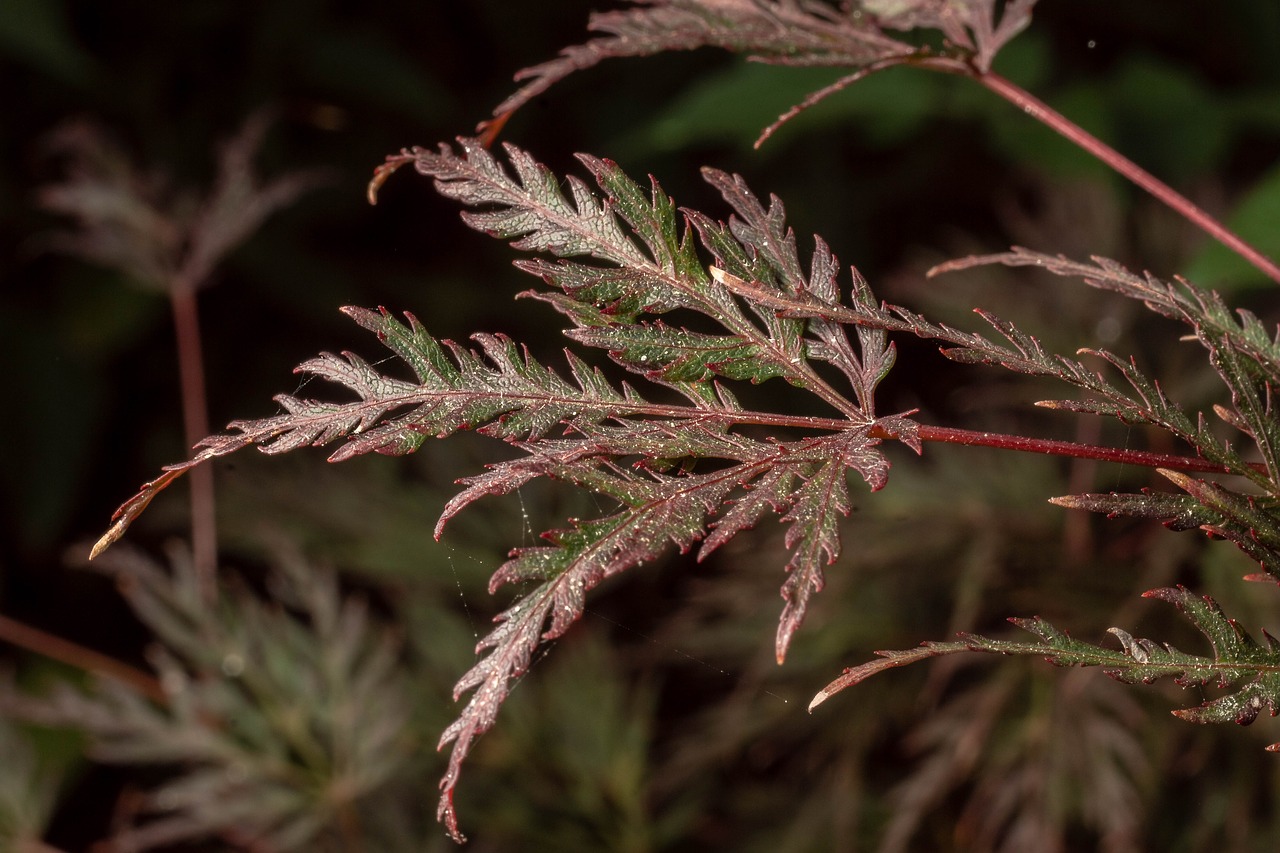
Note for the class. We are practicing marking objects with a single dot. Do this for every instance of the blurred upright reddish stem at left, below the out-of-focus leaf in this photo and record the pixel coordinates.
(195, 418)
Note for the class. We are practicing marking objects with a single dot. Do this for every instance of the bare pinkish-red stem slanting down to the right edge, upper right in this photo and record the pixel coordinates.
(1077, 135)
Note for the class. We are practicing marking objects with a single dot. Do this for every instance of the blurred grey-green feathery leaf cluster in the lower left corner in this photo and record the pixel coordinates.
(286, 717)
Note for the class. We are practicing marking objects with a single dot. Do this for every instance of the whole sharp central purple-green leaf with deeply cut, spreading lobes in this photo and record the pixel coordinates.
(679, 473)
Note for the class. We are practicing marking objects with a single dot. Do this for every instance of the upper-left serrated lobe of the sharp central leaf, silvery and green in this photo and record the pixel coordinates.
(651, 262)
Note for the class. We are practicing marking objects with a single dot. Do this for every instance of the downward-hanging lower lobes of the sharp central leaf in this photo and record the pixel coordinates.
(804, 481)
